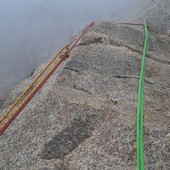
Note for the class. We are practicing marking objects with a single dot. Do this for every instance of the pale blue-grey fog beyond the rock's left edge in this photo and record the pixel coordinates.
(31, 31)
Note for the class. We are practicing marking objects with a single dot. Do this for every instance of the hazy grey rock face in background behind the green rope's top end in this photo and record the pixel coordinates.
(156, 12)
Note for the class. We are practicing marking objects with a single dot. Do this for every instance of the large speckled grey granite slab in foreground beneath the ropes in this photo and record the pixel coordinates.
(84, 117)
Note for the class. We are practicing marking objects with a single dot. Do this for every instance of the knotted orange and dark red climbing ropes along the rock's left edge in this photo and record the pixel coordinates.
(21, 102)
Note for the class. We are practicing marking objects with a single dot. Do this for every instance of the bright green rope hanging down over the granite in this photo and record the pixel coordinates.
(139, 125)
